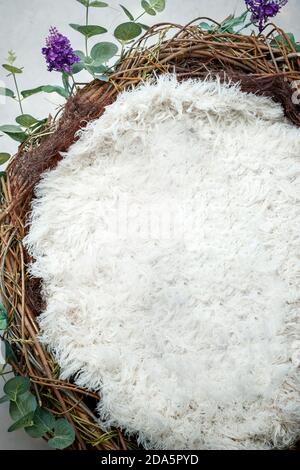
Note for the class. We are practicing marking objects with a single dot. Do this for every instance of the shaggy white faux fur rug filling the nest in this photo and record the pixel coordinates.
(168, 244)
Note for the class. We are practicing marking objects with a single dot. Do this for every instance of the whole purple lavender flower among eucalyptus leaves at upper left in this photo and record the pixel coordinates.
(58, 52)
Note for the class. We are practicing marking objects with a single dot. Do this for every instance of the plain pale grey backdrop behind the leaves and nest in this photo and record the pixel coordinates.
(23, 27)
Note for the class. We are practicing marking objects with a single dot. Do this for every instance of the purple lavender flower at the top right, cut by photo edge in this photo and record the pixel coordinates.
(262, 10)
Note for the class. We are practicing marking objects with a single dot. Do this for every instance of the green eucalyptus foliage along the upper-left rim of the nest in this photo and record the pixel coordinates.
(94, 61)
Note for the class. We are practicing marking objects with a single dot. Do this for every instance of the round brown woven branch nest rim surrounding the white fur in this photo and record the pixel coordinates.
(259, 64)
